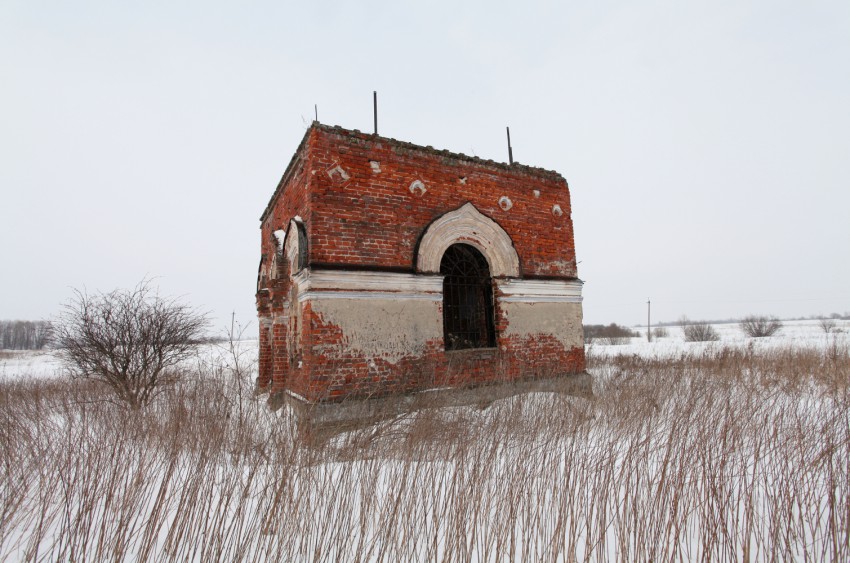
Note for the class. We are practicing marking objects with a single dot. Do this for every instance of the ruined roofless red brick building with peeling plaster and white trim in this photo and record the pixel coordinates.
(350, 290)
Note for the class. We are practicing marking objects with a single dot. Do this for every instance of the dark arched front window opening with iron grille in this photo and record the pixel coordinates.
(467, 299)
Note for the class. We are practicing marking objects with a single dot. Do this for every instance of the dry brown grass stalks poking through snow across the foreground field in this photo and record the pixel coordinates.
(725, 454)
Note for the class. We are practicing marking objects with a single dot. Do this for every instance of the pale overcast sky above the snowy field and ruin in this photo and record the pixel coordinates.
(706, 144)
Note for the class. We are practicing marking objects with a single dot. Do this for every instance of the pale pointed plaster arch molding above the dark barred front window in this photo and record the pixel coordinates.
(469, 226)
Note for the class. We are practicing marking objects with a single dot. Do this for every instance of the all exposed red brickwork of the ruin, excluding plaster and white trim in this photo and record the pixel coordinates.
(372, 220)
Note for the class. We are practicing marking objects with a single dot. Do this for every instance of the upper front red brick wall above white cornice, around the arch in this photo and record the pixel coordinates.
(374, 220)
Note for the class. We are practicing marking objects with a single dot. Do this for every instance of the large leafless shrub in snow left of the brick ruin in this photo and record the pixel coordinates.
(131, 340)
